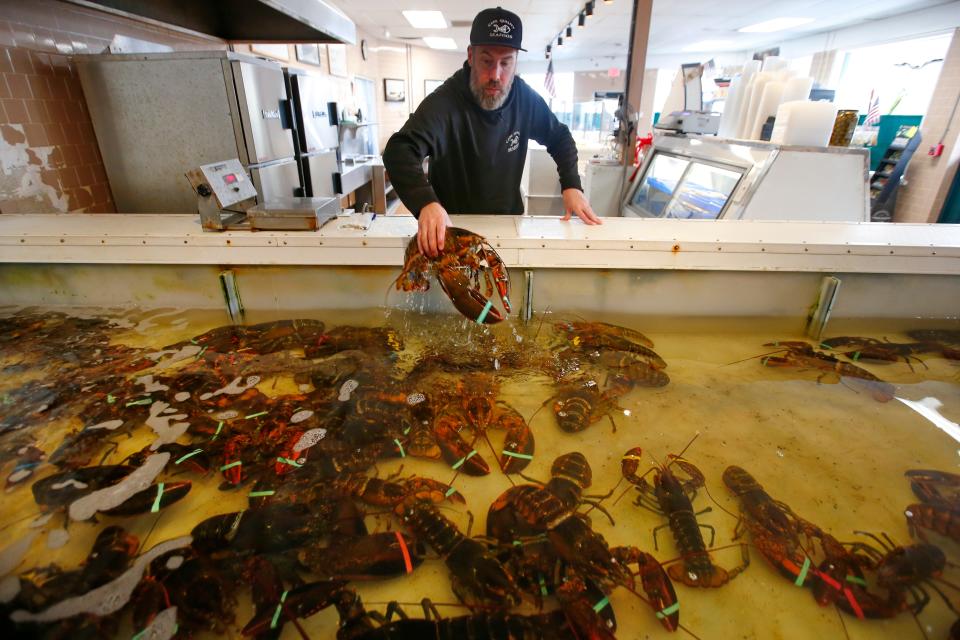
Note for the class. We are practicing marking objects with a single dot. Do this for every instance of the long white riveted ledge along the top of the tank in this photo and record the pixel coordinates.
(522, 241)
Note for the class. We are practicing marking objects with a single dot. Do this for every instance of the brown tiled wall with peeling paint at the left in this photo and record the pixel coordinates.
(49, 155)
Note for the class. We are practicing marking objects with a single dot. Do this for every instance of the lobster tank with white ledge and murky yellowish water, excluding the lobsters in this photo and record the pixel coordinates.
(709, 294)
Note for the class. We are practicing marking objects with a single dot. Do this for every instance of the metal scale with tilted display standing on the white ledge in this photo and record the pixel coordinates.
(226, 201)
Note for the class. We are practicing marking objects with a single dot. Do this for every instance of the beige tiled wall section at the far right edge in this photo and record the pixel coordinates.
(929, 179)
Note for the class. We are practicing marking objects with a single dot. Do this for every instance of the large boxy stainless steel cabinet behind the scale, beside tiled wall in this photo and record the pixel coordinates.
(158, 115)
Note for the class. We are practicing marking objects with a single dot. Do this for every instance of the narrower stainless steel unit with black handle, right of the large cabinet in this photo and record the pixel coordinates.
(317, 140)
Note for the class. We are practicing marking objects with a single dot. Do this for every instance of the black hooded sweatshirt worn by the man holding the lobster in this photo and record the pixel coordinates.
(476, 156)
